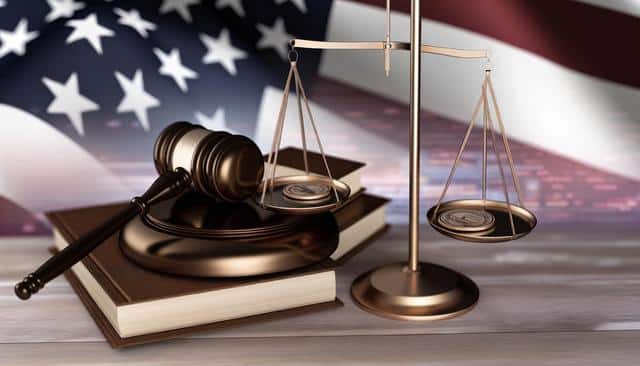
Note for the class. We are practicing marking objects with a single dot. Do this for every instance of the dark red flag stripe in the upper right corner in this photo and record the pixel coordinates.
(586, 38)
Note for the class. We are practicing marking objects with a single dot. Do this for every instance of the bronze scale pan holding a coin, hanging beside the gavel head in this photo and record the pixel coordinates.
(303, 194)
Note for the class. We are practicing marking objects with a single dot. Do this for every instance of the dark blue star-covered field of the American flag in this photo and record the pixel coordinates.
(111, 75)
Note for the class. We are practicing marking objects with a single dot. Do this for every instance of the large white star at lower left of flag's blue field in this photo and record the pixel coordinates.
(68, 100)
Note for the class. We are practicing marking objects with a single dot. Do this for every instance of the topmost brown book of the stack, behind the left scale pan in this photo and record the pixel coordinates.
(291, 162)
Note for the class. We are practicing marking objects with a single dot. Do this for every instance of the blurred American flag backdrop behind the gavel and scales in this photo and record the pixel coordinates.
(86, 86)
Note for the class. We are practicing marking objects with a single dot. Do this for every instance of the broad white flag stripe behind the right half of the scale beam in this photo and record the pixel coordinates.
(546, 105)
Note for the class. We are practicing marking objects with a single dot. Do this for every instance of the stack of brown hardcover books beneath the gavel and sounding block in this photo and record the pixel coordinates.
(132, 305)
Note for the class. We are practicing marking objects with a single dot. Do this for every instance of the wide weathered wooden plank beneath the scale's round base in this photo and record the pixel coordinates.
(552, 281)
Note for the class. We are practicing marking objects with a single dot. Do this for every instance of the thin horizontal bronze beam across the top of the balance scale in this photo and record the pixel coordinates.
(381, 45)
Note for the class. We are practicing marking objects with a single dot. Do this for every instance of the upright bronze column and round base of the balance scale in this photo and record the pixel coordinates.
(414, 290)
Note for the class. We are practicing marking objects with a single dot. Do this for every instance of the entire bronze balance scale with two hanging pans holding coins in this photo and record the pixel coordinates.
(413, 290)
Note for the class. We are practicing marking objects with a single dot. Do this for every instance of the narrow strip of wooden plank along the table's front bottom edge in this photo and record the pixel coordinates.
(534, 349)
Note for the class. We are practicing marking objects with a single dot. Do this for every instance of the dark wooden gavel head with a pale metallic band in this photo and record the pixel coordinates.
(223, 166)
